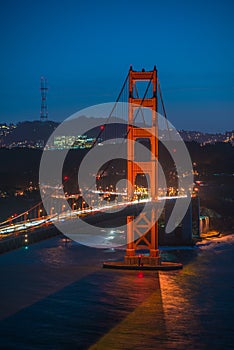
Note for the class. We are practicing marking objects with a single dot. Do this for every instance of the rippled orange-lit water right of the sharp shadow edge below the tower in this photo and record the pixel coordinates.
(198, 300)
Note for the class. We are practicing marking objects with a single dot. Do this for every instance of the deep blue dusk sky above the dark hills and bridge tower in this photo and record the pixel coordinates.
(84, 48)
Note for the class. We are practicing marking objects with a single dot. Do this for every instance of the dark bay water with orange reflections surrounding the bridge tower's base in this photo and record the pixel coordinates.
(57, 296)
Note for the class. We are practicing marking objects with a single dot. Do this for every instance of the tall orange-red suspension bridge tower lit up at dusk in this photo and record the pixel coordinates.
(143, 231)
